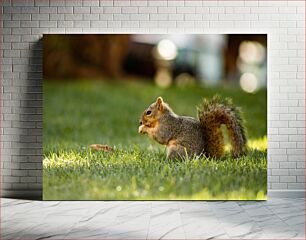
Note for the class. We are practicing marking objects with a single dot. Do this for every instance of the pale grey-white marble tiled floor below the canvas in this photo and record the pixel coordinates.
(272, 219)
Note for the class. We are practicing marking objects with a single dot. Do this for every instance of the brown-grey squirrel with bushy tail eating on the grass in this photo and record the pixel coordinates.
(187, 136)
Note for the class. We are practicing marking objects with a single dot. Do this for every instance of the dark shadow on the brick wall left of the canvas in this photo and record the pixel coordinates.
(31, 122)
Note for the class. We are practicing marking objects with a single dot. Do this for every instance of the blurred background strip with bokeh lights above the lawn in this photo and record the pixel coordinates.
(238, 60)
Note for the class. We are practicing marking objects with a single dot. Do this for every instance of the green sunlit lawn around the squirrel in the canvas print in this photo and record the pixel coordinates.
(80, 113)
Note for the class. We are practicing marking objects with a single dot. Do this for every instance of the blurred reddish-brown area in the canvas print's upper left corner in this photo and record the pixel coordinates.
(84, 55)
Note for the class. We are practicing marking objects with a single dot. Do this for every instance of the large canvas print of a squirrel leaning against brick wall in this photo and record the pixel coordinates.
(155, 117)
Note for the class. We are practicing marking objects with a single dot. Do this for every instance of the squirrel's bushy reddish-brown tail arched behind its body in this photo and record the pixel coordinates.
(212, 114)
